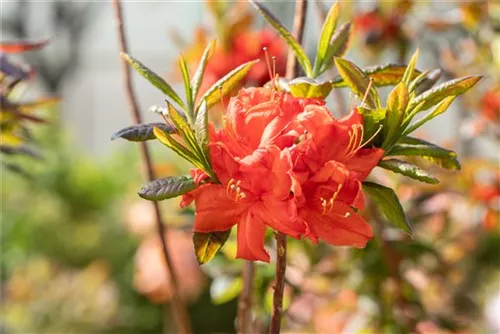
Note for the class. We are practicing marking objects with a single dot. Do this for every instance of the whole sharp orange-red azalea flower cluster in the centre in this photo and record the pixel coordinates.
(284, 163)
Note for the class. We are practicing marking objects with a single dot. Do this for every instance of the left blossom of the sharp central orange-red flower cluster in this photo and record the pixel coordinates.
(254, 172)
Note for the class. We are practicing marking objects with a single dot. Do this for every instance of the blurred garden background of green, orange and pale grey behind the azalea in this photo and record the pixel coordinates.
(79, 249)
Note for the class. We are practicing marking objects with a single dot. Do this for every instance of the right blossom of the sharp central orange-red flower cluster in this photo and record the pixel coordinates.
(330, 164)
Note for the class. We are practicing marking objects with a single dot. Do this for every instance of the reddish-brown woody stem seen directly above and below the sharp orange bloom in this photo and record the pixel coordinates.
(279, 283)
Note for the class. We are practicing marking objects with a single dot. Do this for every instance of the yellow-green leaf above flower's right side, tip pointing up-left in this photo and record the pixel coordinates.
(357, 81)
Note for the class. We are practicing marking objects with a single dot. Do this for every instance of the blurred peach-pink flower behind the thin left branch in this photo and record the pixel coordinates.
(150, 276)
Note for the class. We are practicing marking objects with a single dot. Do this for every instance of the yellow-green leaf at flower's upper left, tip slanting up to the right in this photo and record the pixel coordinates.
(222, 87)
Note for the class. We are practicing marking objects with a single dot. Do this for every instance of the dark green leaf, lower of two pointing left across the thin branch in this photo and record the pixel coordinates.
(168, 187)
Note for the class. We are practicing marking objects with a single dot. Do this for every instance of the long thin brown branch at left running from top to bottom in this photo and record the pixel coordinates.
(179, 309)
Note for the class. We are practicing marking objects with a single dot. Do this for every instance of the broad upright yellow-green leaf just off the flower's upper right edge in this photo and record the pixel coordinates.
(397, 102)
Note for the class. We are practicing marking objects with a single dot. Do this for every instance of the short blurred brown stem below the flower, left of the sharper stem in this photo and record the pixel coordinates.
(245, 301)
